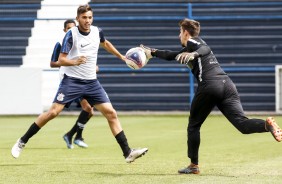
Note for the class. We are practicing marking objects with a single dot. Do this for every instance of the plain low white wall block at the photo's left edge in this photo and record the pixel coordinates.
(20, 90)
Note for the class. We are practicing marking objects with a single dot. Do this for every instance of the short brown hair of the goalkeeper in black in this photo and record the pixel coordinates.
(192, 26)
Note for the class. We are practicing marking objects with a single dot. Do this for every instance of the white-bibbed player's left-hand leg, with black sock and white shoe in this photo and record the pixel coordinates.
(41, 120)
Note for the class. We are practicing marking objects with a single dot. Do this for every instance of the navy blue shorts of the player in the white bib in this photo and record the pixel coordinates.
(72, 88)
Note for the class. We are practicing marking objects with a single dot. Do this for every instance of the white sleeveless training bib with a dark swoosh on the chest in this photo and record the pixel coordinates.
(82, 45)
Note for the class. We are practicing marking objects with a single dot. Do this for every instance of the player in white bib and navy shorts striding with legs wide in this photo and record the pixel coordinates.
(78, 58)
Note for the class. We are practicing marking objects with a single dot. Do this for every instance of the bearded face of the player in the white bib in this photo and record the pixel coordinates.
(85, 20)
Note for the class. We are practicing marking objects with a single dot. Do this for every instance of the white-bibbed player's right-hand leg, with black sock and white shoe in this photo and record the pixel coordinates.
(109, 112)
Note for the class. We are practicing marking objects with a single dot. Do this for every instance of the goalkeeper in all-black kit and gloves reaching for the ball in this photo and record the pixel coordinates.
(215, 88)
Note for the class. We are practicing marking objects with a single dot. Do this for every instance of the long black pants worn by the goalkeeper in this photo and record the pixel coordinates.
(222, 93)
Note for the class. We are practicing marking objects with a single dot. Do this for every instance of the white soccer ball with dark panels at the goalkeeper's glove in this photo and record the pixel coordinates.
(136, 58)
